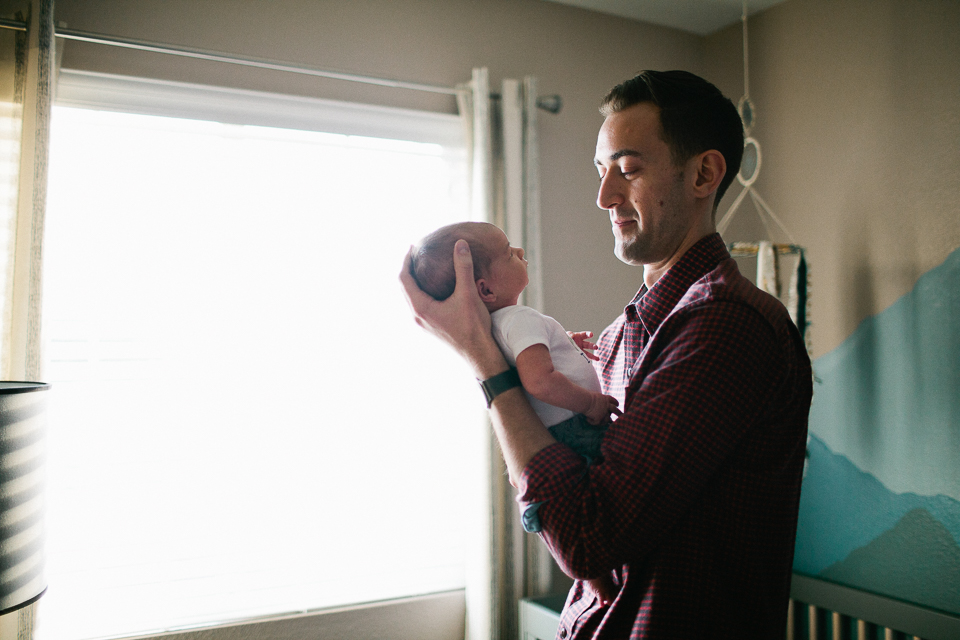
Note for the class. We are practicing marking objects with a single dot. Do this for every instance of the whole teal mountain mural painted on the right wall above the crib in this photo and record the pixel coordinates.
(880, 508)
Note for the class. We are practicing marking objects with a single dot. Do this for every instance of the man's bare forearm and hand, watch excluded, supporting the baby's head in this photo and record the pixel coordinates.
(463, 322)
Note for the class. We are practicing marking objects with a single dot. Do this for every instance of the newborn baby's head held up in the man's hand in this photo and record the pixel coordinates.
(499, 270)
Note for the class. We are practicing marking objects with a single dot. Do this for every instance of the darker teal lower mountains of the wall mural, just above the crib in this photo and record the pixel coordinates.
(855, 531)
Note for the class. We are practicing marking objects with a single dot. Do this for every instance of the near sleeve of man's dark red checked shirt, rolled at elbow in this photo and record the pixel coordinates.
(701, 384)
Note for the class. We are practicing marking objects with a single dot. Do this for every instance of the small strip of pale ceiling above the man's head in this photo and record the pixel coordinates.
(701, 17)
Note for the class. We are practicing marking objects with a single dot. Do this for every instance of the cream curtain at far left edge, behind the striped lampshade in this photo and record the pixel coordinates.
(26, 84)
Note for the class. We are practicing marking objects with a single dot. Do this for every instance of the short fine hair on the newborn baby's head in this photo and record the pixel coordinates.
(432, 263)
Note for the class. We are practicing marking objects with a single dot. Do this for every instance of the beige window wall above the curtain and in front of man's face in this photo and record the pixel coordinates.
(572, 52)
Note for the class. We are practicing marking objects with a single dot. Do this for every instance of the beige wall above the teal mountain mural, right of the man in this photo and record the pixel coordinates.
(858, 107)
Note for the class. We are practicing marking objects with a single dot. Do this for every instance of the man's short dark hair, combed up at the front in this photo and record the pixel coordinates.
(694, 116)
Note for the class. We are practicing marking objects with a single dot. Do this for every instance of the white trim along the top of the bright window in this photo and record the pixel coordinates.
(145, 96)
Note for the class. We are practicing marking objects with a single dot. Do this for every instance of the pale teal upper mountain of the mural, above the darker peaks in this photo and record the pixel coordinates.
(888, 397)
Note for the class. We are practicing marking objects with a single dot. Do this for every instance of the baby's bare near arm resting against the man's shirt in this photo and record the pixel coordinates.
(546, 384)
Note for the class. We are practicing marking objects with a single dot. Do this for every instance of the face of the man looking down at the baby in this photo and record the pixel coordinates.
(640, 186)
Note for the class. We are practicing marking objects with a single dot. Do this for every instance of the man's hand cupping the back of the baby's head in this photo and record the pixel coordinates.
(461, 321)
